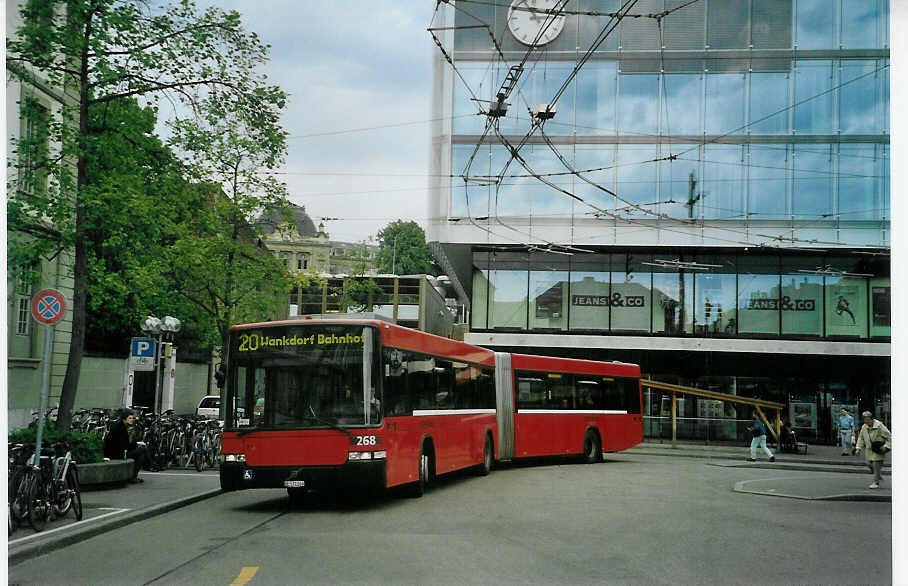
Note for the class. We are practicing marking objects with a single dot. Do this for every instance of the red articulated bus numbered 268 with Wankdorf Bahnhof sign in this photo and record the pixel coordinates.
(335, 402)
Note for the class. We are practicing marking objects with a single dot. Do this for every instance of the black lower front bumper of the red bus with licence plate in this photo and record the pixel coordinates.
(359, 474)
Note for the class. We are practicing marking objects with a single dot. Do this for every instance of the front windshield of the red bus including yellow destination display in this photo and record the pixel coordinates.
(303, 376)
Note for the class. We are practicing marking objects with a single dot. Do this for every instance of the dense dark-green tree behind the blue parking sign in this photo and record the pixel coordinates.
(138, 195)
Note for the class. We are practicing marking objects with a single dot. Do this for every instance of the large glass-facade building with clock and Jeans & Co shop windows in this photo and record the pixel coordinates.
(714, 183)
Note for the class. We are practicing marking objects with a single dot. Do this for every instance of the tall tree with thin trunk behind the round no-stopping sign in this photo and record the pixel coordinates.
(101, 51)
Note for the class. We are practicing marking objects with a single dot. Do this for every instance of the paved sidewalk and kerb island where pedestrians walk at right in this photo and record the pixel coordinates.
(838, 477)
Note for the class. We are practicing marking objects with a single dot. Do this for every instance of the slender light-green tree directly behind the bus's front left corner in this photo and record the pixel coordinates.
(217, 262)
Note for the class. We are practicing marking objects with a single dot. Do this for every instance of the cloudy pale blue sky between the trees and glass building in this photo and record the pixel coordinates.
(351, 65)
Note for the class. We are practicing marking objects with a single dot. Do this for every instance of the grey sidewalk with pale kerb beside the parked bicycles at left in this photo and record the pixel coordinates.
(104, 509)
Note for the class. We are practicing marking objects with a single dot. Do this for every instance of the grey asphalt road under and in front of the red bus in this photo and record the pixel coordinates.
(634, 519)
